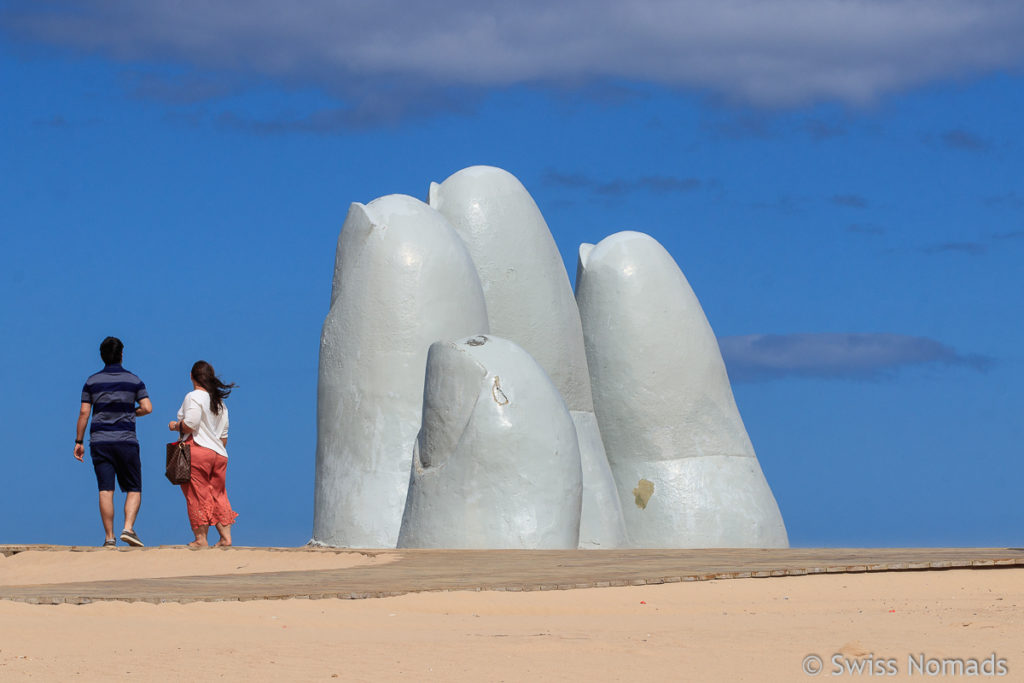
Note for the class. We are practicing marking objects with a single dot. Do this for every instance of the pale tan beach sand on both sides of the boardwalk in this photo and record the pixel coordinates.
(897, 625)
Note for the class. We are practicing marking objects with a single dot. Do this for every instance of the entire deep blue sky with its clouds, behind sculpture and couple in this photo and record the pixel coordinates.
(842, 183)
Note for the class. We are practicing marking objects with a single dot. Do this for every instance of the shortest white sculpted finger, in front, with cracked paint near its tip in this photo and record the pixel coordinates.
(496, 463)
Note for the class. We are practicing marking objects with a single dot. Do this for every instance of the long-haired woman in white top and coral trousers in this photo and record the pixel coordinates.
(203, 418)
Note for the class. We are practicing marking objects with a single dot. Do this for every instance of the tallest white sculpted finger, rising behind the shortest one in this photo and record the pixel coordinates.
(530, 302)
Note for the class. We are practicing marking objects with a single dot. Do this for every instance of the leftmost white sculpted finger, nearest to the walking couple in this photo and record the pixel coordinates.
(403, 280)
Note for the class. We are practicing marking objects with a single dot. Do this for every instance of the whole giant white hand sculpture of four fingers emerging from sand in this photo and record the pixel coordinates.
(498, 440)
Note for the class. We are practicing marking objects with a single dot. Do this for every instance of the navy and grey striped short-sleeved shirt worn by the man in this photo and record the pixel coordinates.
(113, 393)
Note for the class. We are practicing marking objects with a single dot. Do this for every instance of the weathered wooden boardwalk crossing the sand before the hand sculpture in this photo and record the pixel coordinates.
(417, 571)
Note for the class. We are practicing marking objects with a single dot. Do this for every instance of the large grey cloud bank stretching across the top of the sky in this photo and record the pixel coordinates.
(779, 53)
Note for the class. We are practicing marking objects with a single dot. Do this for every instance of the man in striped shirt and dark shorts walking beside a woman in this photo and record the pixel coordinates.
(112, 396)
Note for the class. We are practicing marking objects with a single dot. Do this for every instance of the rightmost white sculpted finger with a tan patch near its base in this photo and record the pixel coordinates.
(685, 467)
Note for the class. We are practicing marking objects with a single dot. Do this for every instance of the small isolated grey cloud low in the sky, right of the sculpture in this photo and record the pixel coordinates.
(754, 358)
